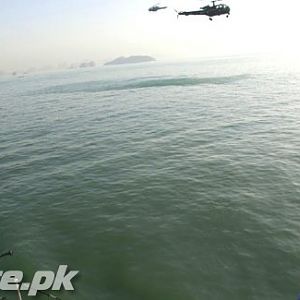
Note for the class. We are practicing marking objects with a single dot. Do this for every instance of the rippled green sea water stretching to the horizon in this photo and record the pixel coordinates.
(155, 181)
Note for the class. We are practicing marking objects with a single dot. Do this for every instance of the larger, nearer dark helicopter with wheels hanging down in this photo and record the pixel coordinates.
(209, 10)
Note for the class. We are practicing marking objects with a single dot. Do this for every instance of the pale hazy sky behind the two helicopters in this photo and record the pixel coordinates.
(36, 33)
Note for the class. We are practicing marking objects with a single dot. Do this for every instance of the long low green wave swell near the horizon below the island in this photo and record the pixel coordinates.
(100, 86)
